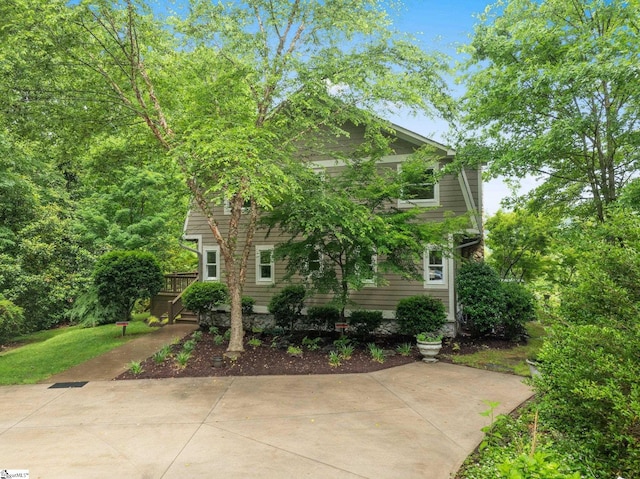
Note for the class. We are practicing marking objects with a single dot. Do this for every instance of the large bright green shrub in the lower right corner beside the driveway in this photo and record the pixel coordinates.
(589, 392)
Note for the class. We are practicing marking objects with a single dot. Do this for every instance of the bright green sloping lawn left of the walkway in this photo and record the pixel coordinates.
(46, 353)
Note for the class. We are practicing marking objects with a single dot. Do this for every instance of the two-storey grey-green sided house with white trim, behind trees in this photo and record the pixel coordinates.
(460, 193)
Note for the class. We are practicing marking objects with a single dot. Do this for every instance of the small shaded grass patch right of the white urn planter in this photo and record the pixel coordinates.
(506, 360)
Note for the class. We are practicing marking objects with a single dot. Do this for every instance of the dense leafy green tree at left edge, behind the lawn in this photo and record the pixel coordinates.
(42, 262)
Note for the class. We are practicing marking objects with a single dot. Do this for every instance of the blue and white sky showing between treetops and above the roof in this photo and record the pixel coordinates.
(440, 25)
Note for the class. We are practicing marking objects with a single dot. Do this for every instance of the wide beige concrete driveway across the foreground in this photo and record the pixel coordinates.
(414, 421)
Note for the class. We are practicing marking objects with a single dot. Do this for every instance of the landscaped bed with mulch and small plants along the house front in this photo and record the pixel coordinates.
(299, 353)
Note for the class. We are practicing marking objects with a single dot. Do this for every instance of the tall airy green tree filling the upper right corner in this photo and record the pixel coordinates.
(553, 90)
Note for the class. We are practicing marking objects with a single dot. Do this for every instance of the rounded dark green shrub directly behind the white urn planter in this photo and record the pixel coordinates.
(420, 313)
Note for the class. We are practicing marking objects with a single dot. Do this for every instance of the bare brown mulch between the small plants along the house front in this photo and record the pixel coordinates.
(271, 357)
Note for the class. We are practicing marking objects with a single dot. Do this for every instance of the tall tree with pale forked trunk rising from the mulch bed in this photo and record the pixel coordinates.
(252, 83)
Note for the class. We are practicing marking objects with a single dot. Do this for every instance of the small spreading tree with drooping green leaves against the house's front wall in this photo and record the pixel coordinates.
(345, 232)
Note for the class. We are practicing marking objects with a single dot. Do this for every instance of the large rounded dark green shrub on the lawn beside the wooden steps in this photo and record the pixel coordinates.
(123, 277)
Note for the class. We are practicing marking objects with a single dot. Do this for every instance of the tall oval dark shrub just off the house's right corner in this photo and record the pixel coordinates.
(481, 295)
